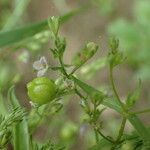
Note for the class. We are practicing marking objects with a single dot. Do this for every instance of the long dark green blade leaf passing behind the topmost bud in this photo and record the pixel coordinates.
(8, 38)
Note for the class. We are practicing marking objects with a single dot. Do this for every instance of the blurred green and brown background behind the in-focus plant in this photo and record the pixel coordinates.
(128, 20)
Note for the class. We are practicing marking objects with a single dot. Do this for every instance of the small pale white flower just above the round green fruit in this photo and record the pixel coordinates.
(40, 66)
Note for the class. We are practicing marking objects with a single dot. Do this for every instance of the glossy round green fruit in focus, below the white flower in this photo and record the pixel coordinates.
(41, 90)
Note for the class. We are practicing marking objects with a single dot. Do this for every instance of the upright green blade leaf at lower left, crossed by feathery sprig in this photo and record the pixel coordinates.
(20, 134)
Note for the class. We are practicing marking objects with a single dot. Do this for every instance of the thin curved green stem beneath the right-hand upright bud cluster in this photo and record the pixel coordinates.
(114, 89)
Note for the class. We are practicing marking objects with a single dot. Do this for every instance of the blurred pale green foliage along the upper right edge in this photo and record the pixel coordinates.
(134, 37)
